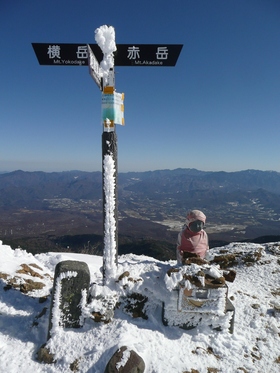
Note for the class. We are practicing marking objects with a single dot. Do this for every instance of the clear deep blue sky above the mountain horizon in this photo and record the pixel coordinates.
(217, 109)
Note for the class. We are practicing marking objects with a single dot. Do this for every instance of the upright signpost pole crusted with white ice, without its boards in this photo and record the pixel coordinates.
(105, 38)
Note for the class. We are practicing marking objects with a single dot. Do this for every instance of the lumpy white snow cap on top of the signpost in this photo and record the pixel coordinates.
(105, 38)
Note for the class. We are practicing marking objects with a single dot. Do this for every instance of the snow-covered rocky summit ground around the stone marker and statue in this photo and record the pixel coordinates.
(253, 347)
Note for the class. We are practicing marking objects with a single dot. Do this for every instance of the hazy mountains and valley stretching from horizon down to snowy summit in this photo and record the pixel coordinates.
(152, 205)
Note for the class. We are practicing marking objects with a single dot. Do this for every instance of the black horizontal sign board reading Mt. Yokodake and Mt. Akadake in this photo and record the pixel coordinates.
(126, 55)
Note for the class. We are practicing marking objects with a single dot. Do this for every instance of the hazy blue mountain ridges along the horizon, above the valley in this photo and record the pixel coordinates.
(32, 187)
